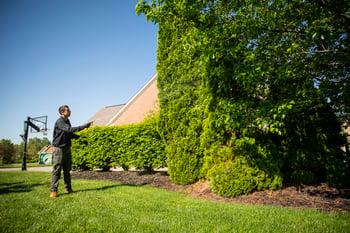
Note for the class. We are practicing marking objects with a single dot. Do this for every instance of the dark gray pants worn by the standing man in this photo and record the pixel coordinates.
(62, 160)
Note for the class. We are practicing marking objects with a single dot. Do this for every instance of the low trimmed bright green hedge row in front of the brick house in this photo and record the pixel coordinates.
(137, 145)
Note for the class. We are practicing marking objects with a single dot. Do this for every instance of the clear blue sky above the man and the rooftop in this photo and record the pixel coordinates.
(87, 54)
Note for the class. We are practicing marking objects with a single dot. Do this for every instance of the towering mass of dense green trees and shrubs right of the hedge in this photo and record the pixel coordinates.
(252, 92)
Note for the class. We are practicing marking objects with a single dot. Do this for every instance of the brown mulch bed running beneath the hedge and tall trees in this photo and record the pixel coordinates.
(320, 197)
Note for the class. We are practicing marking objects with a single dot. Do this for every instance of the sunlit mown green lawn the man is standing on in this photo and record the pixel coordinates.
(102, 206)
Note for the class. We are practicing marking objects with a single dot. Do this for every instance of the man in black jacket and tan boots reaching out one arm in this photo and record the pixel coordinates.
(62, 157)
